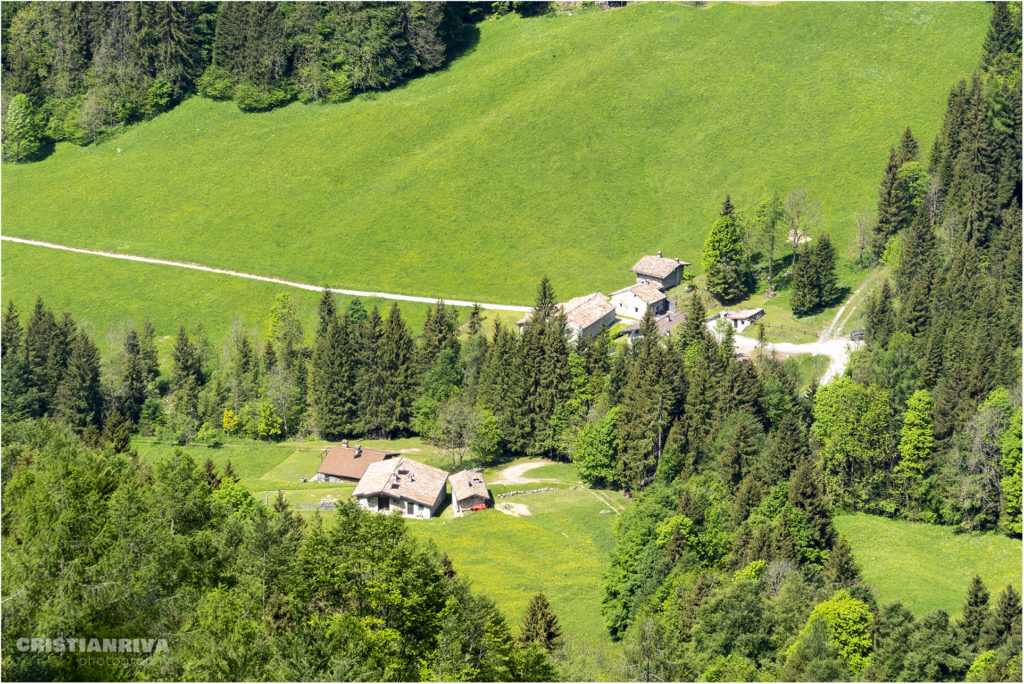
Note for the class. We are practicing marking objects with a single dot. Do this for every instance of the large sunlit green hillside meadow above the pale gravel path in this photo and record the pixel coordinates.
(561, 146)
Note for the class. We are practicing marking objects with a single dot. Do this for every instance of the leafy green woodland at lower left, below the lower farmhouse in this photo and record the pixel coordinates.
(239, 591)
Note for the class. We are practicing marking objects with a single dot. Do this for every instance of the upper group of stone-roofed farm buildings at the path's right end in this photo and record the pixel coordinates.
(656, 276)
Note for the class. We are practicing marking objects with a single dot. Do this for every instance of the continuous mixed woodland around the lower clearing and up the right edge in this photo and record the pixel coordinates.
(727, 567)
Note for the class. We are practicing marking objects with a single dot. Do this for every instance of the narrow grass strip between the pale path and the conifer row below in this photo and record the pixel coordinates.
(104, 293)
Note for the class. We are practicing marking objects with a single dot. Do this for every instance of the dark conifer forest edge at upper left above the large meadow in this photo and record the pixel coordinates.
(75, 71)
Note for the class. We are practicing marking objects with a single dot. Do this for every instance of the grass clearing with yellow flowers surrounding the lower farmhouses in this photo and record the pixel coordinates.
(563, 548)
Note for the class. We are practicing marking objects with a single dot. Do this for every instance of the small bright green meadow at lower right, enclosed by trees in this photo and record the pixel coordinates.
(929, 567)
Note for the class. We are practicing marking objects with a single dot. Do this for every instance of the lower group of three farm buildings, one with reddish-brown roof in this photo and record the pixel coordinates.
(389, 482)
